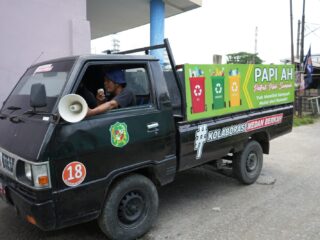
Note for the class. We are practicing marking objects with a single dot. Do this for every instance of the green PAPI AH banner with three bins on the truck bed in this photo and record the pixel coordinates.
(214, 90)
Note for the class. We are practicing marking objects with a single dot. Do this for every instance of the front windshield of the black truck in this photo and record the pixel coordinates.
(52, 75)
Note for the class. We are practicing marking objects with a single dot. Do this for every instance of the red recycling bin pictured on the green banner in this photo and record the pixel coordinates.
(197, 88)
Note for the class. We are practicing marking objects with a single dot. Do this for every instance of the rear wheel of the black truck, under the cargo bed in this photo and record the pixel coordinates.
(247, 164)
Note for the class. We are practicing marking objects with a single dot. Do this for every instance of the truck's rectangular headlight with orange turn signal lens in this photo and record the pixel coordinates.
(34, 175)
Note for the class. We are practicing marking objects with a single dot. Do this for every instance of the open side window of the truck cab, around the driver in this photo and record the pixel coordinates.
(135, 76)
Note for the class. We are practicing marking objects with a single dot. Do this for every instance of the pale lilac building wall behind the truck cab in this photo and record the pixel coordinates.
(37, 30)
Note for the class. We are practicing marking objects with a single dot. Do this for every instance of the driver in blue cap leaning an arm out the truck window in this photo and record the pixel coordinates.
(120, 96)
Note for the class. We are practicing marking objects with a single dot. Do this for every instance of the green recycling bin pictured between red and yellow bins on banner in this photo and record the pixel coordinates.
(218, 92)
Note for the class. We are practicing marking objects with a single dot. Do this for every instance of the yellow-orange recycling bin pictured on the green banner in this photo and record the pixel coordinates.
(234, 88)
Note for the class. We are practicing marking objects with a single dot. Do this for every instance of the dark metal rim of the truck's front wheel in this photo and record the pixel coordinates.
(132, 208)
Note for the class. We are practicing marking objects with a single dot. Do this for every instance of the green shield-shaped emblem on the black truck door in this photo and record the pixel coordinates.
(119, 134)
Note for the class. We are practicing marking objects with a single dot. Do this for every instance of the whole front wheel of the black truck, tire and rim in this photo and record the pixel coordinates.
(130, 208)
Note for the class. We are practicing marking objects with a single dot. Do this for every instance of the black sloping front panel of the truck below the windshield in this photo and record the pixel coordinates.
(23, 139)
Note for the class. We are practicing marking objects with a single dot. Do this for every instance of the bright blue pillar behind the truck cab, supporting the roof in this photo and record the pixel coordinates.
(157, 15)
